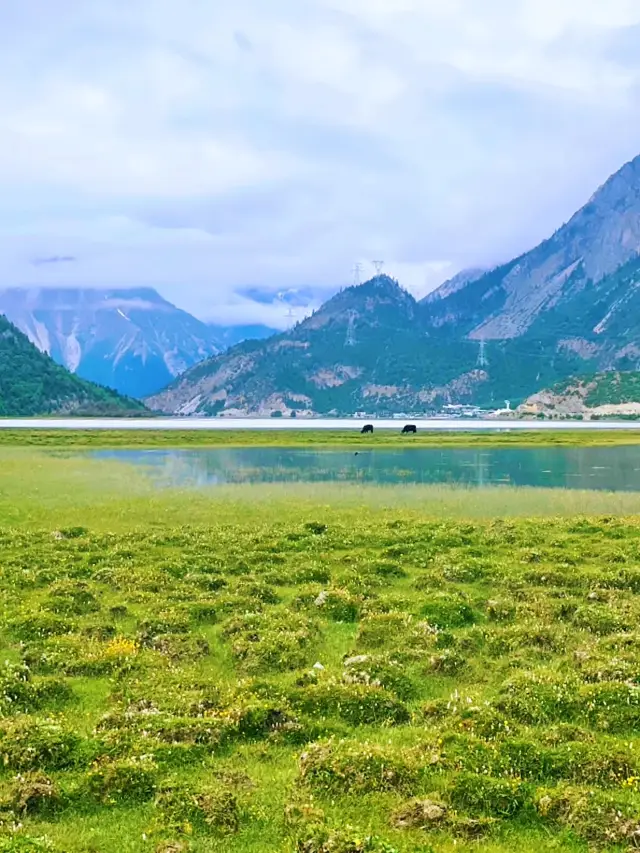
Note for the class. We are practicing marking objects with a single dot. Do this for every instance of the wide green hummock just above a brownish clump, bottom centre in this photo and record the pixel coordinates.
(352, 767)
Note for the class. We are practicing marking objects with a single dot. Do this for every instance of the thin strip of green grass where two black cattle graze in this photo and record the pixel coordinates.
(329, 439)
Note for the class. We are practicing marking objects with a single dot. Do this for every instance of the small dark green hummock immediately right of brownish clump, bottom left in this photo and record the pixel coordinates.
(132, 780)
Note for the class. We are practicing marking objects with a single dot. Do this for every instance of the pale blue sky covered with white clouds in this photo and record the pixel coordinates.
(212, 149)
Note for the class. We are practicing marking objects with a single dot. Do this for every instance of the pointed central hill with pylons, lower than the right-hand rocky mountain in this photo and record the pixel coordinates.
(363, 350)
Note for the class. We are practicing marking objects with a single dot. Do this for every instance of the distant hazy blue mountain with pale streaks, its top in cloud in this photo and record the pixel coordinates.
(131, 340)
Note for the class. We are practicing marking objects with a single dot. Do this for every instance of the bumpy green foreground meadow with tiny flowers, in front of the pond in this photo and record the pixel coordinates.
(325, 669)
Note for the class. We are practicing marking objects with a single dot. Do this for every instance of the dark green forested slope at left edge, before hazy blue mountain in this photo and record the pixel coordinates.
(31, 383)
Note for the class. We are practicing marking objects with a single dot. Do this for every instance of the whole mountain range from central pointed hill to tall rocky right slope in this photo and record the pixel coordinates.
(570, 305)
